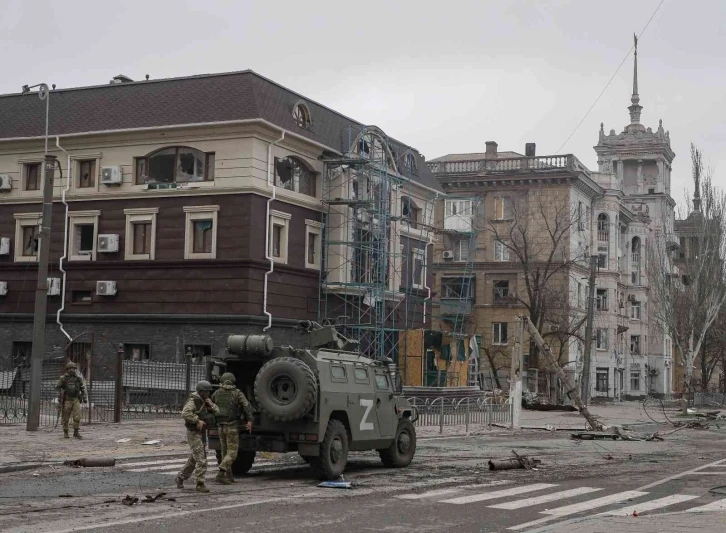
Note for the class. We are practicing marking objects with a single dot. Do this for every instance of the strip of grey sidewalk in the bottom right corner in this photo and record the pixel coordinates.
(710, 522)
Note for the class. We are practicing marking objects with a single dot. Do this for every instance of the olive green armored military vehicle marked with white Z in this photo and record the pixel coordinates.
(321, 402)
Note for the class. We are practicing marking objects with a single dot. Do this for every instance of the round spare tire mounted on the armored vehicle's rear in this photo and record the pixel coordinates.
(285, 389)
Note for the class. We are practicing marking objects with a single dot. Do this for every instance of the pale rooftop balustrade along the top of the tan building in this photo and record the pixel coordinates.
(518, 165)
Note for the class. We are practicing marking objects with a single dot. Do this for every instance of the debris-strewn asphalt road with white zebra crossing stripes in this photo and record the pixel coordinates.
(448, 488)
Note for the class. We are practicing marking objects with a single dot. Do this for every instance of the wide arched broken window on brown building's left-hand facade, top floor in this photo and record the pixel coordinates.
(176, 164)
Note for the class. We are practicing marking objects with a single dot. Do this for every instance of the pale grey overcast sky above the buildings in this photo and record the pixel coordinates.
(443, 77)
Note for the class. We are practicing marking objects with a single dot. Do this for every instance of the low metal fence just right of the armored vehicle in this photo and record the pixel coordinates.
(462, 412)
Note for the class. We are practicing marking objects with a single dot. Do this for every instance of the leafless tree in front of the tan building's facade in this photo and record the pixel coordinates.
(537, 237)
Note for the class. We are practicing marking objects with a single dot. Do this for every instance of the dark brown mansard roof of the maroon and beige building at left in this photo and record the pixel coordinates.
(188, 100)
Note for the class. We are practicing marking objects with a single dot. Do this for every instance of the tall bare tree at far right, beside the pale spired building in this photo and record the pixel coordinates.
(686, 307)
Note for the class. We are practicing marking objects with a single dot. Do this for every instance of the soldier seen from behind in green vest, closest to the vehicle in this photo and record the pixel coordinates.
(232, 404)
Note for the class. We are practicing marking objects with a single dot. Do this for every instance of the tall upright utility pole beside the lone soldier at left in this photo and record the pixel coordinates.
(41, 296)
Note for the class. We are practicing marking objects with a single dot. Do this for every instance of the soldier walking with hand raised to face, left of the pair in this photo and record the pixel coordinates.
(198, 413)
